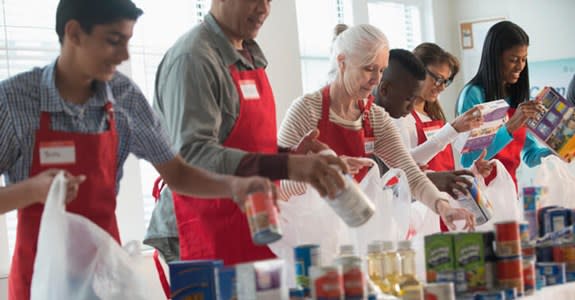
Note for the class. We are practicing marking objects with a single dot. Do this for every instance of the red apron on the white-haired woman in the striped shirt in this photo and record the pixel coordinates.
(345, 141)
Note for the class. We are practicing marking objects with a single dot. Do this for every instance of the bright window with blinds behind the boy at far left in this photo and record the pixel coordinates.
(28, 39)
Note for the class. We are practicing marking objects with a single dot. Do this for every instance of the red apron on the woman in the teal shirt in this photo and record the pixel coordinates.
(510, 155)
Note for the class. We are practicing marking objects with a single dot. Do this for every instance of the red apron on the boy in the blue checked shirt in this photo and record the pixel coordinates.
(95, 157)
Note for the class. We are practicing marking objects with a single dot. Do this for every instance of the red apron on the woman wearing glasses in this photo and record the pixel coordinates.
(444, 160)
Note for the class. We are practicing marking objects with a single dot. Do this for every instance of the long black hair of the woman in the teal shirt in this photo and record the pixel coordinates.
(501, 37)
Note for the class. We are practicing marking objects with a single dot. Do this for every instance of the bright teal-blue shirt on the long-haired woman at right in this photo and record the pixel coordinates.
(532, 151)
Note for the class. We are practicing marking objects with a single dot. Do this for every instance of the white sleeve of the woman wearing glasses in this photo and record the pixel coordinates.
(423, 153)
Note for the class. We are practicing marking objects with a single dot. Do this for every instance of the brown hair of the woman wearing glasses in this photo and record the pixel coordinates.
(432, 54)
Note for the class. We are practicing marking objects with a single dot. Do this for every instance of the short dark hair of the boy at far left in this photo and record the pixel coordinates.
(93, 12)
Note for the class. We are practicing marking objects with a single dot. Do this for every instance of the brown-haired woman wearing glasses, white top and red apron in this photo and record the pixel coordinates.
(426, 131)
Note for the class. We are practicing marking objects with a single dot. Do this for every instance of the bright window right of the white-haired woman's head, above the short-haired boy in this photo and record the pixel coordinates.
(400, 21)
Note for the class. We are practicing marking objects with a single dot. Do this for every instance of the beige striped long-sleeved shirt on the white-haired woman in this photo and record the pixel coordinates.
(304, 115)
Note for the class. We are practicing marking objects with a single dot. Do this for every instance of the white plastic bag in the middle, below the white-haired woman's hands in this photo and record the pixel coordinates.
(308, 219)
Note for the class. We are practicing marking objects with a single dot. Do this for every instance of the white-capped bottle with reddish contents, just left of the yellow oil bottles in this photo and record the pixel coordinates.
(354, 283)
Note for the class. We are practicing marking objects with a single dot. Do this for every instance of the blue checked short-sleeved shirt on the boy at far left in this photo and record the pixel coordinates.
(24, 96)
